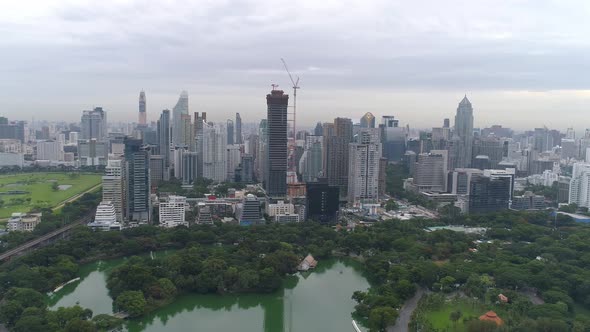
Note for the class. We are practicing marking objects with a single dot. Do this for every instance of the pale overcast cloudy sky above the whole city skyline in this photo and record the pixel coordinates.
(522, 64)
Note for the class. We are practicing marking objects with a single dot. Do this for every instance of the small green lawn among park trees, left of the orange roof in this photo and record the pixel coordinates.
(440, 319)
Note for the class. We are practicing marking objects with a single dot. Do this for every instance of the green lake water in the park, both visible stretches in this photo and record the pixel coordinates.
(316, 301)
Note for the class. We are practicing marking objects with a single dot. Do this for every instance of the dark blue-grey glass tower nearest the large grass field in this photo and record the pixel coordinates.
(138, 182)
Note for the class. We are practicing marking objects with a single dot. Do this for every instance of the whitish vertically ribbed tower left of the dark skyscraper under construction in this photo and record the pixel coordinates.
(214, 152)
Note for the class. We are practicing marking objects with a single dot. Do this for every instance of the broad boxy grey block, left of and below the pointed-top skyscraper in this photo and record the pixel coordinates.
(430, 172)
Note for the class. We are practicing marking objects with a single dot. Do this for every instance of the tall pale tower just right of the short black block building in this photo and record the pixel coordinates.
(363, 168)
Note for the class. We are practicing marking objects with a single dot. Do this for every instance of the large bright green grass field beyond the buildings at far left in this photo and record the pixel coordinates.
(40, 191)
